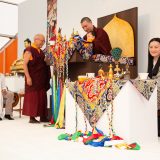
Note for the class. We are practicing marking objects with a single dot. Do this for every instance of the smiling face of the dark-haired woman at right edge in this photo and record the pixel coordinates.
(154, 49)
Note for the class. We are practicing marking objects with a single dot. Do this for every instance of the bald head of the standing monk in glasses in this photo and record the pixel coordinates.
(39, 40)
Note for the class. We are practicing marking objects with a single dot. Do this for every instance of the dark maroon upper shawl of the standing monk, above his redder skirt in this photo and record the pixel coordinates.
(38, 70)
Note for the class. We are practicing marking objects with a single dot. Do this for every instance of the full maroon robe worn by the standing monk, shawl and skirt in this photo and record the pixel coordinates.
(35, 99)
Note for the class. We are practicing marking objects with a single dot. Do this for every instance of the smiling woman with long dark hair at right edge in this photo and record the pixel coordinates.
(154, 67)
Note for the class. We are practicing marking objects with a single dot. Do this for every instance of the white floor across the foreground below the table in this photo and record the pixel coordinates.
(20, 140)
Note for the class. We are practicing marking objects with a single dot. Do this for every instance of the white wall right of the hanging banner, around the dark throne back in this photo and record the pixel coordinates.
(70, 13)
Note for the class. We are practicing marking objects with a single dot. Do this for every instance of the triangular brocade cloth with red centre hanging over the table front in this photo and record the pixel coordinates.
(93, 97)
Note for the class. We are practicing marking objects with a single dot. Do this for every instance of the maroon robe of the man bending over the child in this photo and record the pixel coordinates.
(101, 43)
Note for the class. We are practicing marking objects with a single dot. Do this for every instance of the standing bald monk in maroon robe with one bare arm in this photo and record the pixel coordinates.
(37, 77)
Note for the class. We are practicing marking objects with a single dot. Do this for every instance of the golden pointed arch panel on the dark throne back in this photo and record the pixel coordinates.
(121, 35)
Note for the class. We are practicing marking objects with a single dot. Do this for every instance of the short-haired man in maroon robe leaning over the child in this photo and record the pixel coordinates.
(101, 43)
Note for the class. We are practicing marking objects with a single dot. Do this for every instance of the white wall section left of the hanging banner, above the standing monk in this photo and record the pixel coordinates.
(32, 15)
